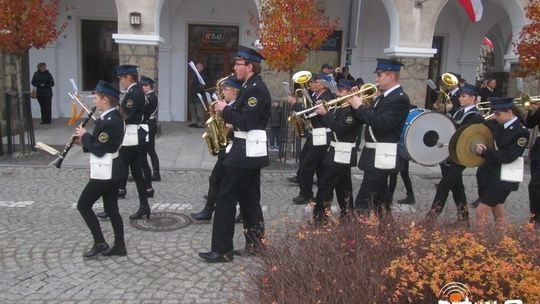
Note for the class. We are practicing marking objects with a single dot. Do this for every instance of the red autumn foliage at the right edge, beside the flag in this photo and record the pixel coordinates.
(528, 46)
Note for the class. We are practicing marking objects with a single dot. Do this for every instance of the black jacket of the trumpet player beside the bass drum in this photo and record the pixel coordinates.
(386, 118)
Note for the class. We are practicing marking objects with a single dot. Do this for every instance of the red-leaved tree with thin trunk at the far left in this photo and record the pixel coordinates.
(26, 24)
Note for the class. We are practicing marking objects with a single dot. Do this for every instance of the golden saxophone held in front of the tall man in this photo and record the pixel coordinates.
(216, 133)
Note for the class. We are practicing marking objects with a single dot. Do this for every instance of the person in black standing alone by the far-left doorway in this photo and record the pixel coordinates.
(43, 81)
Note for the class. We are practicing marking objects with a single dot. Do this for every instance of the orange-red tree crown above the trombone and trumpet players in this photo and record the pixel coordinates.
(288, 30)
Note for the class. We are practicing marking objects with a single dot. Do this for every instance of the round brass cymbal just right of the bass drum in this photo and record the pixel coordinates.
(466, 141)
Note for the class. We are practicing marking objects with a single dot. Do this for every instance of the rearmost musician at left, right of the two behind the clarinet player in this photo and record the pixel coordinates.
(150, 118)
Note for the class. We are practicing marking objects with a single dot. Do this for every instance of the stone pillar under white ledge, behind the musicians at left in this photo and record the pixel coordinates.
(145, 56)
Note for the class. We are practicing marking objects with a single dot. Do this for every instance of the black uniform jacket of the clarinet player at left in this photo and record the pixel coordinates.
(106, 138)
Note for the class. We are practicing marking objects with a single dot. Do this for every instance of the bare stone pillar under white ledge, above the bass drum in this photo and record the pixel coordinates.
(413, 75)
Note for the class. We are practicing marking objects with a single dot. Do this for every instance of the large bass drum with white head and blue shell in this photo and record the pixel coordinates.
(425, 137)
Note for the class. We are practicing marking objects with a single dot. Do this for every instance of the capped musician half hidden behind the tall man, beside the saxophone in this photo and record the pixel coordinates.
(231, 90)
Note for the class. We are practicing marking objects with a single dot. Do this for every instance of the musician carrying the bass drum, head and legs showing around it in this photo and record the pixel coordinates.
(452, 173)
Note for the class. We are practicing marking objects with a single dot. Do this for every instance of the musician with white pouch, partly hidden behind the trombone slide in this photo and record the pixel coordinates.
(317, 140)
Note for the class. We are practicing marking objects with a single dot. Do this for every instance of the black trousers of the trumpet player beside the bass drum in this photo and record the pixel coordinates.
(373, 194)
